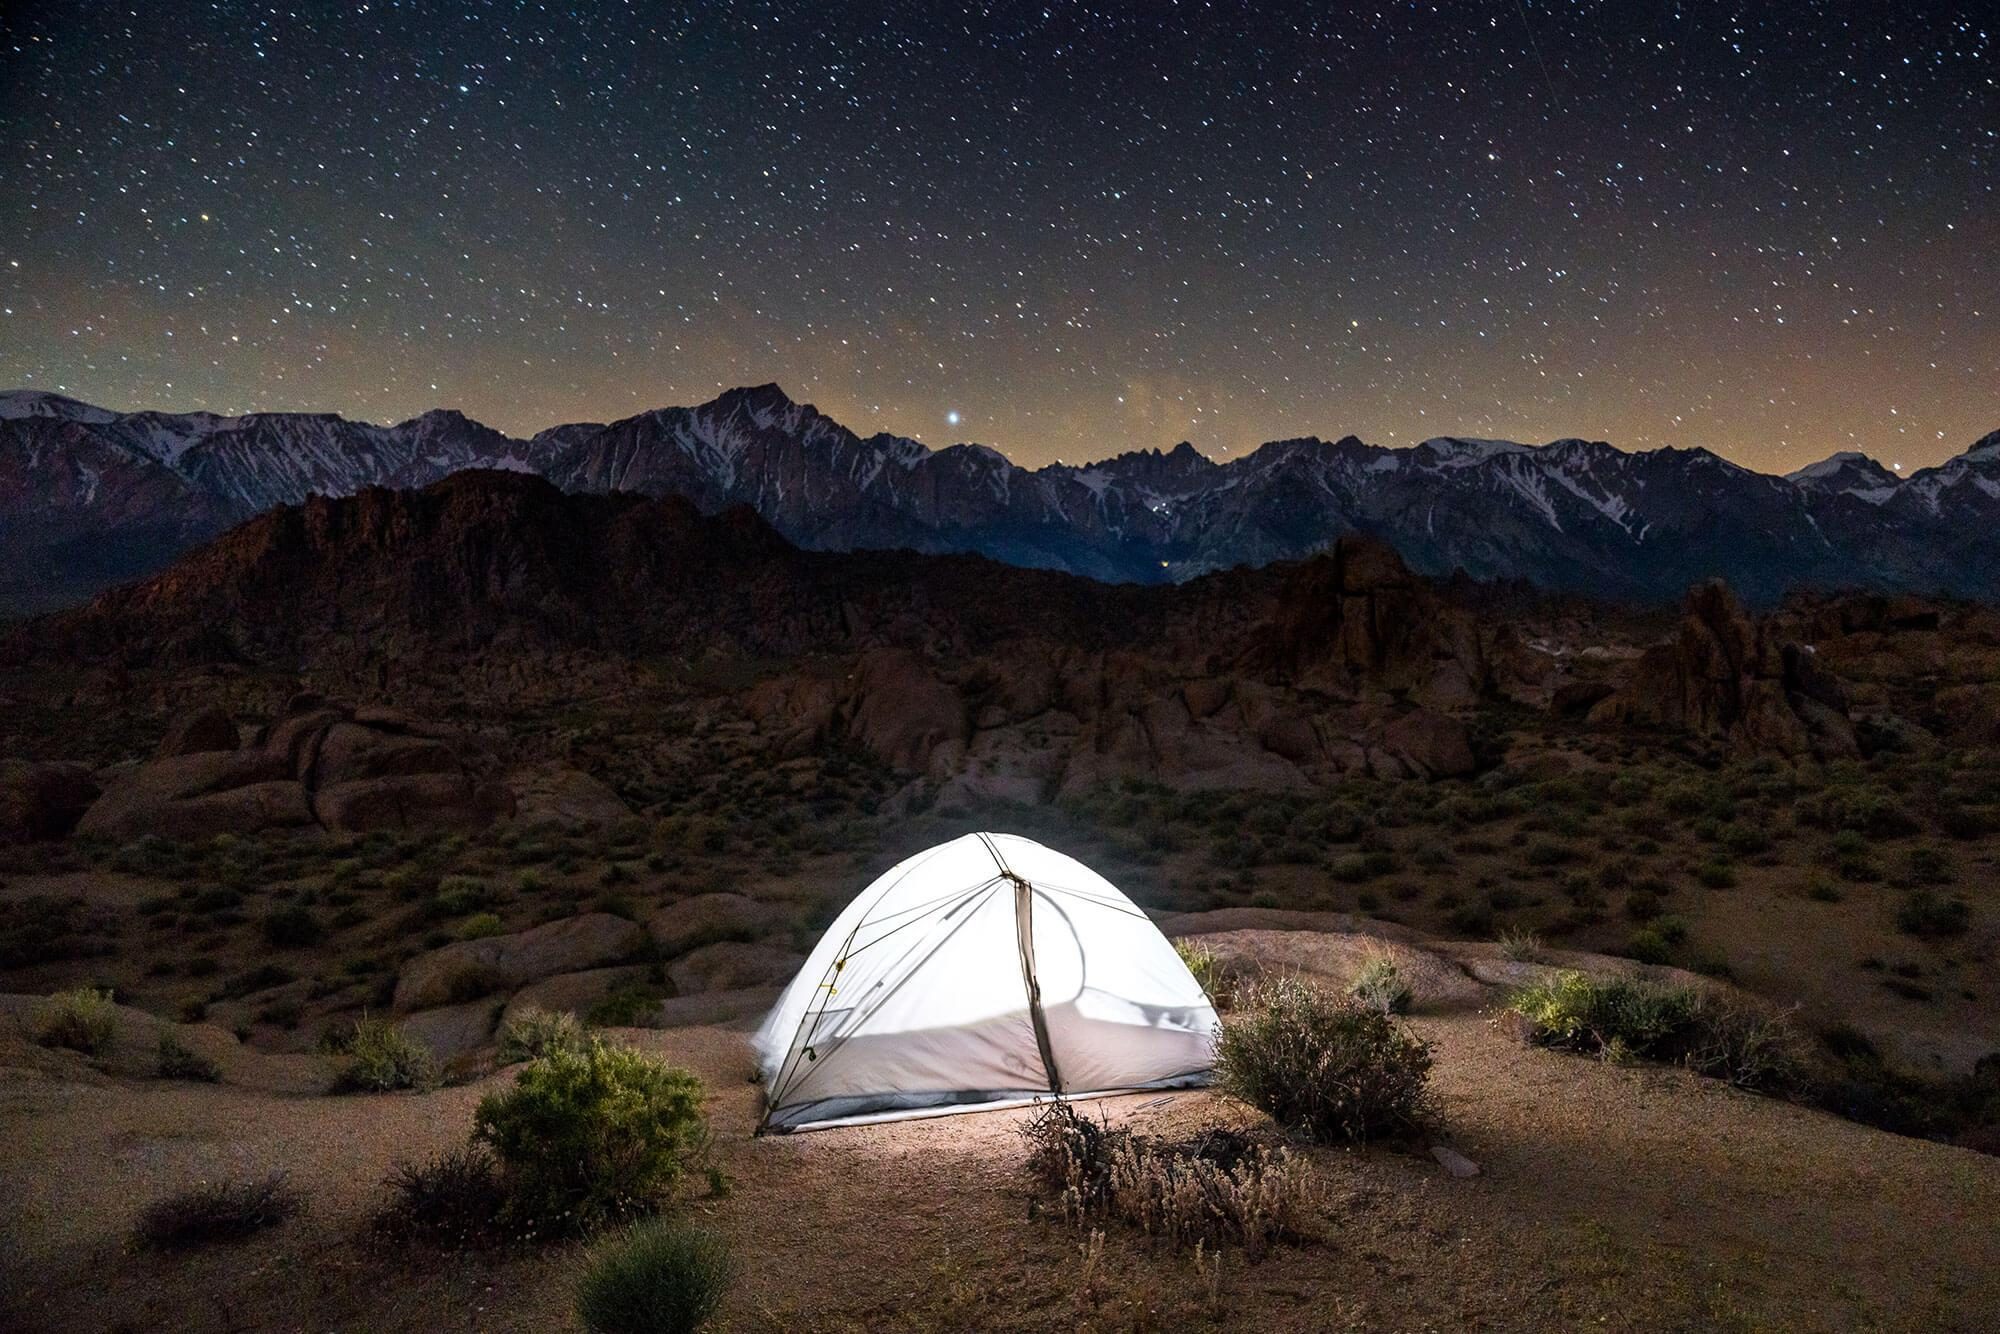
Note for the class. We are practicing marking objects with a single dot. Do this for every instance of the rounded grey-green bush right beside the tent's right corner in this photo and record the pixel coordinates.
(1323, 1065)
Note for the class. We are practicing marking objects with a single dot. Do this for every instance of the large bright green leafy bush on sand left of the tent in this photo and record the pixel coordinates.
(591, 1135)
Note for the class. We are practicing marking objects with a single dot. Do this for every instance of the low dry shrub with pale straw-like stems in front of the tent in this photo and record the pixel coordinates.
(1219, 1187)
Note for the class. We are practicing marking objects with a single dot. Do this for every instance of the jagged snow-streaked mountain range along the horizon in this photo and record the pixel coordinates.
(93, 497)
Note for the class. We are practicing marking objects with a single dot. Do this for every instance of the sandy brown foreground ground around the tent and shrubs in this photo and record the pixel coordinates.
(1611, 1199)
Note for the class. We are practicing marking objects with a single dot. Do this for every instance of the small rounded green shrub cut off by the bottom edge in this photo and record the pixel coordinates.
(657, 1277)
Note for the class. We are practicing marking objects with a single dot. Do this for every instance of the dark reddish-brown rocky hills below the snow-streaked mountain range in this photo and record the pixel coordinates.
(993, 681)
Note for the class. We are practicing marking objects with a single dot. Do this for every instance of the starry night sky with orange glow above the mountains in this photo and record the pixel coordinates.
(1057, 229)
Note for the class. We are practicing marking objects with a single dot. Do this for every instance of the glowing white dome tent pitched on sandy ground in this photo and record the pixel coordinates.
(983, 973)
